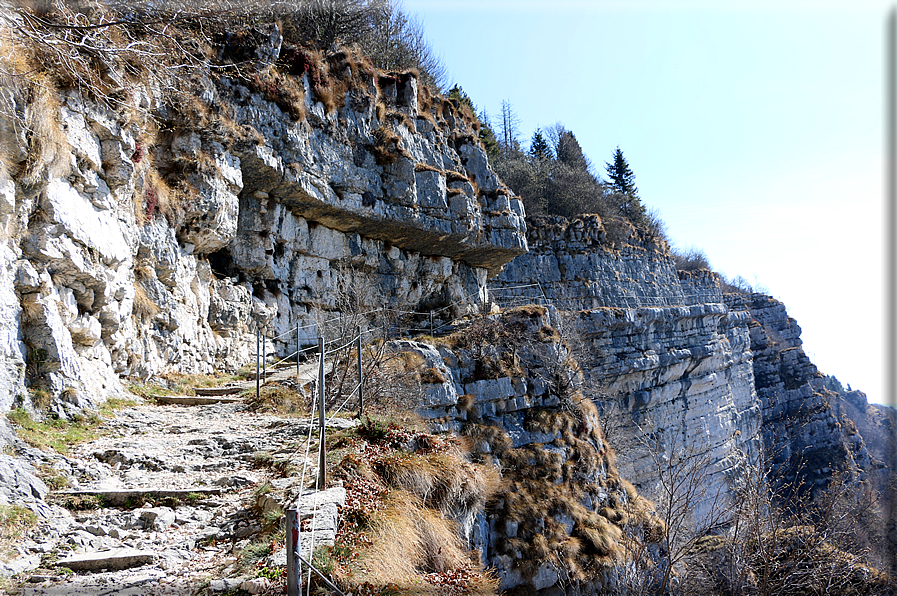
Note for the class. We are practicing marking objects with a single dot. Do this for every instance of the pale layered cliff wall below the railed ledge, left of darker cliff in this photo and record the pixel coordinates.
(674, 380)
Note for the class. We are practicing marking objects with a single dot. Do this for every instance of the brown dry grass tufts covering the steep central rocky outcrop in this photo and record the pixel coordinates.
(541, 489)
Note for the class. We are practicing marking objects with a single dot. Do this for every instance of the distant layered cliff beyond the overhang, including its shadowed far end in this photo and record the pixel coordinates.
(673, 361)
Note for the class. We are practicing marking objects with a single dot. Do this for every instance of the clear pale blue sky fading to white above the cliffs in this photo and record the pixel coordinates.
(756, 128)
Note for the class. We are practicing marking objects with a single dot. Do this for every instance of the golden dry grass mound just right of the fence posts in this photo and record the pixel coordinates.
(405, 511)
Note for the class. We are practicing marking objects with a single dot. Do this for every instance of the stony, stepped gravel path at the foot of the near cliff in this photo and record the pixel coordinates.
(184, 547)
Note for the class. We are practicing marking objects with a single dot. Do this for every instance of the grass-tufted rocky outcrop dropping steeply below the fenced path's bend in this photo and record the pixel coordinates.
(512, 388)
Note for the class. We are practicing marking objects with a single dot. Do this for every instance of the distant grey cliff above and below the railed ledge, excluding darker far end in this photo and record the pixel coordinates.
(666, 360)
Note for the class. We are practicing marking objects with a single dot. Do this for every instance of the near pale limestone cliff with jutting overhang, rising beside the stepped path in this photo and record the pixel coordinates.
(131, 251)
